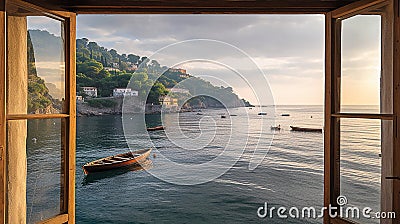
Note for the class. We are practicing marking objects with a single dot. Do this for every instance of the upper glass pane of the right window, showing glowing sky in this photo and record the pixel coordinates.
(361, 64)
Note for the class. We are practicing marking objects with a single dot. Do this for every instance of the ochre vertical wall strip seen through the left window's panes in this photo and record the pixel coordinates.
(16, 103)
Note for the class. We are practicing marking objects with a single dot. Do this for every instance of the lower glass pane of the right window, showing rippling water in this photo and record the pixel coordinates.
(360, 166)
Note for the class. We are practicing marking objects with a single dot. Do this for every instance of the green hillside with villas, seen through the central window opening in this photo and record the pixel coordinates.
(107, 69)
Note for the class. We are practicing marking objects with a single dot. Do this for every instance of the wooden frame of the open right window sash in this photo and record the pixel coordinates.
(389, 97)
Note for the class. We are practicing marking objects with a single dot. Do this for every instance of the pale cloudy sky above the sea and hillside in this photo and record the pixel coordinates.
(255, 54)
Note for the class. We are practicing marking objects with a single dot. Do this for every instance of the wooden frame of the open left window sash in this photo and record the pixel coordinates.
(68, 116)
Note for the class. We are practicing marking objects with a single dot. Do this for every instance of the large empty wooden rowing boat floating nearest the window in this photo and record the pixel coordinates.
(117, 161)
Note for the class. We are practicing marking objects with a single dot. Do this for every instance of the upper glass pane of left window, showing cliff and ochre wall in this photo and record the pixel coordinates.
(40, 79)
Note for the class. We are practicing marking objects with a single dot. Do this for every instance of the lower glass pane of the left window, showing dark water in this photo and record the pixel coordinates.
(43, 148)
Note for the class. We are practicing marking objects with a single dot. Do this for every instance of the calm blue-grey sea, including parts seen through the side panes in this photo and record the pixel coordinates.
(288, 168)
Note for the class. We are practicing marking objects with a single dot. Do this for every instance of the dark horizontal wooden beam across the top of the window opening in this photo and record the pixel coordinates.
(194, 6)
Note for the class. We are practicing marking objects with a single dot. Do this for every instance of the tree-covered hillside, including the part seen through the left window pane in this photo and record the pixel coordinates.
(106, 70)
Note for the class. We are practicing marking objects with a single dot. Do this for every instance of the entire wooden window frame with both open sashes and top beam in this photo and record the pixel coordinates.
(332, 113)
